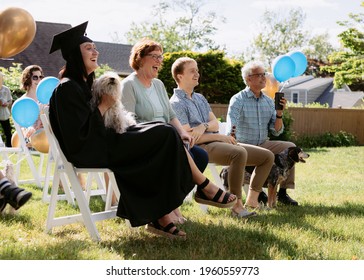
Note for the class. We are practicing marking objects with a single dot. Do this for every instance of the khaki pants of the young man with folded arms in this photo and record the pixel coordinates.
(237, 157)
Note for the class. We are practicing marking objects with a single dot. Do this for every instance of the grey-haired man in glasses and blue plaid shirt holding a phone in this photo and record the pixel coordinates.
(254, 115)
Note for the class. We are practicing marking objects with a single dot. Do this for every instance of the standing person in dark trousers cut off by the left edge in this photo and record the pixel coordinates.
(5, 104)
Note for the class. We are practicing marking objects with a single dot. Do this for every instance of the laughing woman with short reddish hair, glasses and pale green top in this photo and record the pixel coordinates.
(145, 96)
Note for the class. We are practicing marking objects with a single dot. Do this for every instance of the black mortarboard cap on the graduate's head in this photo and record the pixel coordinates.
(68, 40)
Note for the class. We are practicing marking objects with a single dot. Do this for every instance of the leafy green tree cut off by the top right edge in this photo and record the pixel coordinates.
(348, 65)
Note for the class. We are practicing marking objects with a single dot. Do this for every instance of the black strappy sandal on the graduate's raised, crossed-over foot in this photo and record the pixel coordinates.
(200, 197)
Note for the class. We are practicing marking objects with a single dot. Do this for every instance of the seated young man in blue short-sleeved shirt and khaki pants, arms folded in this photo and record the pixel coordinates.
(196, 116)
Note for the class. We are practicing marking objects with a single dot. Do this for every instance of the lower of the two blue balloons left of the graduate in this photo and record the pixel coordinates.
(25, 111)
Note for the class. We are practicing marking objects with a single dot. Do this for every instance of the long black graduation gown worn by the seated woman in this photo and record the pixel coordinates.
(149, 160)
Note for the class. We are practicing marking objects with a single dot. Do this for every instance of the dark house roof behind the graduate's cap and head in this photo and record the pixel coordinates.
(115, 55)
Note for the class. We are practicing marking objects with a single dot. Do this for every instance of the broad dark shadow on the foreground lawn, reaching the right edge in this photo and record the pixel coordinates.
(253, 239)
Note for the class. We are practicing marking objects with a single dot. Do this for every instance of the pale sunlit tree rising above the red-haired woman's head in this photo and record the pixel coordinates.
(191, 31)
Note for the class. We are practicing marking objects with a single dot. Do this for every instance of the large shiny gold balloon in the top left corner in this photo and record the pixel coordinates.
(17, 31)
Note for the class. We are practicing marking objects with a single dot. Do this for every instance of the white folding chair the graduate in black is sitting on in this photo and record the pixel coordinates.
(64, 168)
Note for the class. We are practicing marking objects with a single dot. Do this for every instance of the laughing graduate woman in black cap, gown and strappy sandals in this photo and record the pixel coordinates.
(152, 168)
